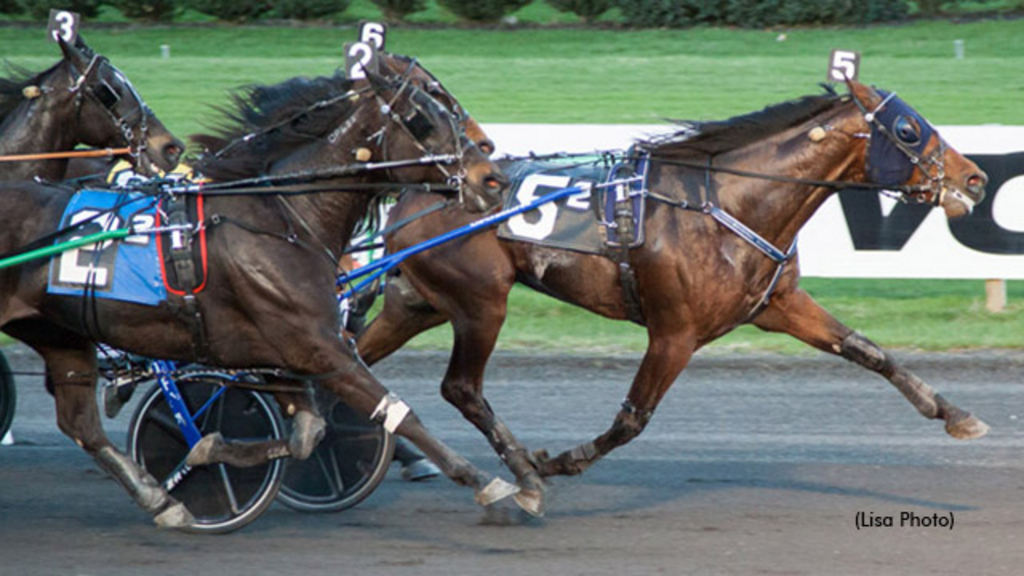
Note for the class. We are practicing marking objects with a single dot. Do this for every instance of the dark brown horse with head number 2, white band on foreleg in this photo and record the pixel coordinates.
(270, 290)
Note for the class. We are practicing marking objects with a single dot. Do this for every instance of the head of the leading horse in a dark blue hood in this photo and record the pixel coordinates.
(908, 153)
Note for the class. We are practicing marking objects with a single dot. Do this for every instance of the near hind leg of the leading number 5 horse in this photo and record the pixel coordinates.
(477, 327)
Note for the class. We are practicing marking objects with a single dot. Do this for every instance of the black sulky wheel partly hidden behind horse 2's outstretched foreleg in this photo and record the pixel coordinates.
(346, 468)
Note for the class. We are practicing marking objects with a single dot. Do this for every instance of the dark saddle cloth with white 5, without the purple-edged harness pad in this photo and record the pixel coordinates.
(573, 223)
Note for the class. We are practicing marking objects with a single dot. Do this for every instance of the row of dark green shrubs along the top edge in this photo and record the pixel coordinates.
(642, 14)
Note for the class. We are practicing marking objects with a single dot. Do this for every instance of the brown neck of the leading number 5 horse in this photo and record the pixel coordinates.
(778, 211)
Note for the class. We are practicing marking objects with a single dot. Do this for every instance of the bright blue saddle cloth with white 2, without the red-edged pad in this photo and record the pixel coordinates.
(127, 270)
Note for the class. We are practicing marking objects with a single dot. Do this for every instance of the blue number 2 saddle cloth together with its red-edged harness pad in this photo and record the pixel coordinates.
(143, 268)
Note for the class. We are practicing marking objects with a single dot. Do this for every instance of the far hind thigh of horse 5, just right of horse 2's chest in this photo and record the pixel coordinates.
(405, 315)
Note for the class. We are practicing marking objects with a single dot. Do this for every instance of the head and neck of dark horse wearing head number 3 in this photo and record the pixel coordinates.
(82, 100)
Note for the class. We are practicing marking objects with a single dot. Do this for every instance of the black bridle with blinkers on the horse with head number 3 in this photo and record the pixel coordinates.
(134, 124)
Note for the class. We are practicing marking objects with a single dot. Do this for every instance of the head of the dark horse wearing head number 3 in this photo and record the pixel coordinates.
(111, 112)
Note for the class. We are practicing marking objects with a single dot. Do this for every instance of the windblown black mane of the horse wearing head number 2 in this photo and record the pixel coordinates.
(282, 116)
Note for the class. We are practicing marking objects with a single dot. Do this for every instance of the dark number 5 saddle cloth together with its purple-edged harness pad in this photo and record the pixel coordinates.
(592, 222)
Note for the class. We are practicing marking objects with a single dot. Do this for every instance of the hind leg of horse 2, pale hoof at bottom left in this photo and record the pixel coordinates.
(71, 365)
